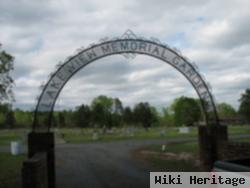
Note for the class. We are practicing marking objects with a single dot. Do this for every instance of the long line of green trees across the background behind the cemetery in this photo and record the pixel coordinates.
(108, 112)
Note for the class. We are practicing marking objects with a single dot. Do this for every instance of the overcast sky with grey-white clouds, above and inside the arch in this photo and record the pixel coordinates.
(213, 34)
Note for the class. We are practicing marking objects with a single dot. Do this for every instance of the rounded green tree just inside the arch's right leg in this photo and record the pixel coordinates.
(186, 111)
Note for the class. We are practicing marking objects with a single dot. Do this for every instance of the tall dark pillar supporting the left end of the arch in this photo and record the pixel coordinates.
(44, 142)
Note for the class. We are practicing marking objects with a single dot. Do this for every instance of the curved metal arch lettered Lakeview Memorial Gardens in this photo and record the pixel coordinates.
(127, 46)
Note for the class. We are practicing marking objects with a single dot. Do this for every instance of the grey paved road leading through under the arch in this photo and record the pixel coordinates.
(101, 165)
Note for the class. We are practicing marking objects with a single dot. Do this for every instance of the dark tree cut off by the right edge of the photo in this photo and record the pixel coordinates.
(244, 109)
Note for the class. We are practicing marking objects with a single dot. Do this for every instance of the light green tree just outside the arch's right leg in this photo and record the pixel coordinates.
(226, 111)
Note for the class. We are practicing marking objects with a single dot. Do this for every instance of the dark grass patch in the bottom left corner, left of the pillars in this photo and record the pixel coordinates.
(10, 170)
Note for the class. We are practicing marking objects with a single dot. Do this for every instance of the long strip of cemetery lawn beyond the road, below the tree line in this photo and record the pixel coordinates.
(75, 135)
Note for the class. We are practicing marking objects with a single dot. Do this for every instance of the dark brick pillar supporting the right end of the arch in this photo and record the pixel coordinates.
(209, 139)
